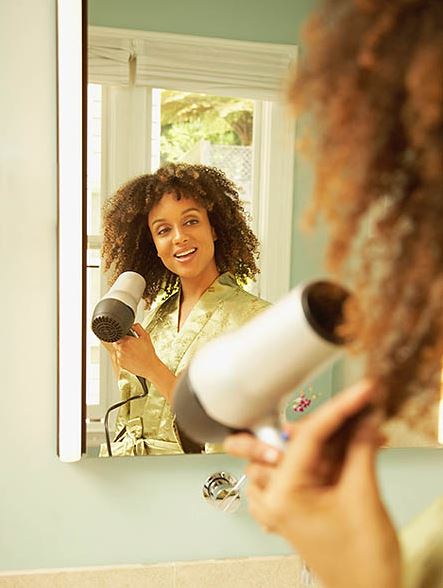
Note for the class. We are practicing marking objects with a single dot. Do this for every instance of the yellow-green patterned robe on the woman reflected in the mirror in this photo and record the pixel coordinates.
(150, 426)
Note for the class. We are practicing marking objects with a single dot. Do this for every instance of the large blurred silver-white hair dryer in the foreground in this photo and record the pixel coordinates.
(236, 382)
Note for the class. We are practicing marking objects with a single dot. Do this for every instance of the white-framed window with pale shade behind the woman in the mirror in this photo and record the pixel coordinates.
(144, 115)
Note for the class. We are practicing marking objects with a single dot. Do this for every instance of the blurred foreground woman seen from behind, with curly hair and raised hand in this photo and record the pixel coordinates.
(373, 81)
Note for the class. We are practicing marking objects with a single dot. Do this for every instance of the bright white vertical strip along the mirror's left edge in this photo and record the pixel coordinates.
(70, 224)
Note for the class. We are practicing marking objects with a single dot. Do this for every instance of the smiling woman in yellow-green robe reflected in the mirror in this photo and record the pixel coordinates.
(184, 229)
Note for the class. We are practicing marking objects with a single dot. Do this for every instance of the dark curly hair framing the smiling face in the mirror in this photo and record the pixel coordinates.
(127, 240)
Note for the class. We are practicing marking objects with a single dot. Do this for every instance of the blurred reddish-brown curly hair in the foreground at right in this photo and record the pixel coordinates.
(372, 82)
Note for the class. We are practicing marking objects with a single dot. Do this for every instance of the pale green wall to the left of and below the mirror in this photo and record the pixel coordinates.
(96, 512)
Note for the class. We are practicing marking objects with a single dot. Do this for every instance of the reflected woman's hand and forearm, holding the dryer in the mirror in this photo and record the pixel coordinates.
(137, 355)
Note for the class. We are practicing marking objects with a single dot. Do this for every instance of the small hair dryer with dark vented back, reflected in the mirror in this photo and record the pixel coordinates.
(114, 314)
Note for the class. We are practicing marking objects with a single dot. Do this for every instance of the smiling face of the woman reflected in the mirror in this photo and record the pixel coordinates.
(183, 237)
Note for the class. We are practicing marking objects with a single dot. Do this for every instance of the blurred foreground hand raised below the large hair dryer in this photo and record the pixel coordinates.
(325, 500)
